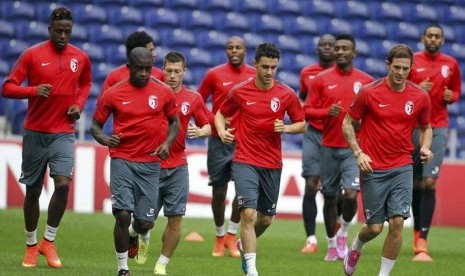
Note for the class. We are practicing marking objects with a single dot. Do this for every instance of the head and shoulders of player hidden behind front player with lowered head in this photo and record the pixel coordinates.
(136, 39)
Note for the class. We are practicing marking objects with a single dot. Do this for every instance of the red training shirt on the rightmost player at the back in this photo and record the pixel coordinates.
(442, 70)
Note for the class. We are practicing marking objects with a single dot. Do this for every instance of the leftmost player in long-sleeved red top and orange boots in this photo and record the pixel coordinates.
(58, 83)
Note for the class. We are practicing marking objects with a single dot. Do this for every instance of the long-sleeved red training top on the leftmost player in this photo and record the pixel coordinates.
(68, 71)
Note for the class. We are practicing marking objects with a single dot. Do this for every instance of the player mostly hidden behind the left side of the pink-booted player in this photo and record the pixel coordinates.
(311, 144)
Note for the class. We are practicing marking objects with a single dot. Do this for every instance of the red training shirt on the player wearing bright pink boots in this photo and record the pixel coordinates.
(327, 88)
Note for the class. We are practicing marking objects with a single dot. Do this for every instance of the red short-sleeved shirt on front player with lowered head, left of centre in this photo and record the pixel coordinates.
(138, 113)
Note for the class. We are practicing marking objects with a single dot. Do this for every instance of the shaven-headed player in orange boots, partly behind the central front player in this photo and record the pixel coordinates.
(217, 83)
